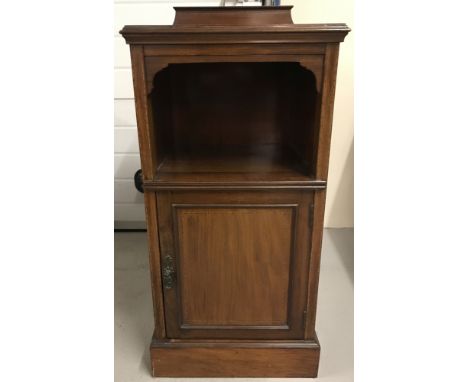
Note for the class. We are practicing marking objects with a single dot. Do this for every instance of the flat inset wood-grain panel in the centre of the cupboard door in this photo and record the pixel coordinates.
(245, 277)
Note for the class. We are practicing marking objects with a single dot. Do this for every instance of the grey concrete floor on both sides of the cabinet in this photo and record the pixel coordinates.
(133, 323)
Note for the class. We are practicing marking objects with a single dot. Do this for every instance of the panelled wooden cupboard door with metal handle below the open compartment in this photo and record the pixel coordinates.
(234, 264)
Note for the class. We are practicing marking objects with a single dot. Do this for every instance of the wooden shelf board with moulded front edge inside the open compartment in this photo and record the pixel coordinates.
(259, 167)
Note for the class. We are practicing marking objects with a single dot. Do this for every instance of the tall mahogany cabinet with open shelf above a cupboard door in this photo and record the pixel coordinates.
(234, 111)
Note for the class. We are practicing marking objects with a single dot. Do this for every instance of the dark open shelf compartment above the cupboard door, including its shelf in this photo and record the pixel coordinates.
(234, 124)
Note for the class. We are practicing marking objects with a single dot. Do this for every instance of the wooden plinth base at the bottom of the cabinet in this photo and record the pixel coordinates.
(205, 358)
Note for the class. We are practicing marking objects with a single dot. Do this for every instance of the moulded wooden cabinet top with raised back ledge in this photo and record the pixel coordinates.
(234, 21)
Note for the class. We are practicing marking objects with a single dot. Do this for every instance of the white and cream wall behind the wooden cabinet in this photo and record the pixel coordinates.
(129, 209)
